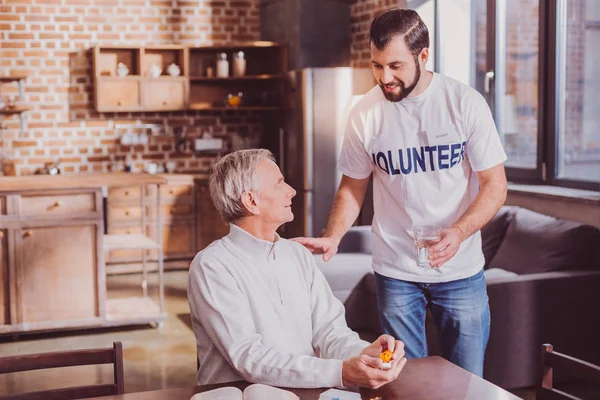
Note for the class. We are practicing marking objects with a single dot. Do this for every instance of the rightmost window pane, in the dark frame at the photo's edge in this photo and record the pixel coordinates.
(578, 90)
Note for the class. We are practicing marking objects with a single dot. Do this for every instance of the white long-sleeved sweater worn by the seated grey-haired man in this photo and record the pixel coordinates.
(263, 312)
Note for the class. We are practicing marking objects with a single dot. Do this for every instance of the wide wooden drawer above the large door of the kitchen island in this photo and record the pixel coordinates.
(58, 204)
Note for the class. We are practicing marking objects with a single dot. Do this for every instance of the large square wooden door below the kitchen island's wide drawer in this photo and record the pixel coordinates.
(57, 273)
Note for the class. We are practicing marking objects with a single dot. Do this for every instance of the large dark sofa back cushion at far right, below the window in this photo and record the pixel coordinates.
(539, 243)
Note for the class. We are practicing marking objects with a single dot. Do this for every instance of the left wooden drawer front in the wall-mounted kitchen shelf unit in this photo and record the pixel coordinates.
(118, 95)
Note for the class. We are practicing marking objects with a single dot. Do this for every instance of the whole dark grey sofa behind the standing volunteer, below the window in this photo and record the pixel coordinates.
(543, 282)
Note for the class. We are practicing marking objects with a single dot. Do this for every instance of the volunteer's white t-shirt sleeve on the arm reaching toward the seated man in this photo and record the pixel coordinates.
(354, 160)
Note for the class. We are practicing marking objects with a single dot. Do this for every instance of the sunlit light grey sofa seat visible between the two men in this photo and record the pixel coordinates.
(344, 271)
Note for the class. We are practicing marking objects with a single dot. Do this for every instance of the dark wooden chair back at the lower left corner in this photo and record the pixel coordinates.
(68, 359)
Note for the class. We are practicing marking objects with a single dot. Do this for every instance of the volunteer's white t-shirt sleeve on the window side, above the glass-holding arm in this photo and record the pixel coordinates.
(484, 148)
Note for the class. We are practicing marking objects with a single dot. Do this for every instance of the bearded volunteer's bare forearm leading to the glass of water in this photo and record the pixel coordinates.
(486, 204)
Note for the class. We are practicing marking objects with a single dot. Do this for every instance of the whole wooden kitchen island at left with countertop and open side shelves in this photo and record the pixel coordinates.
(52, 247)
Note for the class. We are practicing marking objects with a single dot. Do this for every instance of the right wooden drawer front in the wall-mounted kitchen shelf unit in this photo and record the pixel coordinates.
(166, 94)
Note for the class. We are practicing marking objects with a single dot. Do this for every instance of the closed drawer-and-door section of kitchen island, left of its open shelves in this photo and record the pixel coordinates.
(46, 236)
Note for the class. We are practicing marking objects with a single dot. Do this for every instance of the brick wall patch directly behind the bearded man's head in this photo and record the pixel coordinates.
(361, 14)
